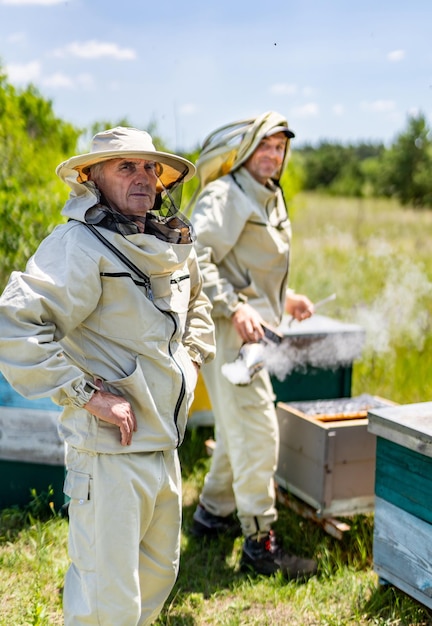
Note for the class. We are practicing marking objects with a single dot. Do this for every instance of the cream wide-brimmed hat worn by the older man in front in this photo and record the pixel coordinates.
(122, 143)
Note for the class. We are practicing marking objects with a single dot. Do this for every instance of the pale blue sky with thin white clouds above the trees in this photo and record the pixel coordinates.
(339, 70)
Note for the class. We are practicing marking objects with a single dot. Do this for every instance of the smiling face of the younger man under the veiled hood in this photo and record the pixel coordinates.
(267, 159)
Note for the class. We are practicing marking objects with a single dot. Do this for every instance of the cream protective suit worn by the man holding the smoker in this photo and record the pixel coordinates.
(243, 242)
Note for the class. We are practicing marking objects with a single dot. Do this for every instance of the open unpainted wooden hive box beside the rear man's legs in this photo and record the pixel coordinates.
(327, 455)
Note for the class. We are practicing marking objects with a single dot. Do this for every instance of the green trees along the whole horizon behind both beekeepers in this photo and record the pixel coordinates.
(33, 141)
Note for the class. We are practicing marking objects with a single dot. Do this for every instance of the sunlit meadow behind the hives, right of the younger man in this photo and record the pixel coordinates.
(376, 257)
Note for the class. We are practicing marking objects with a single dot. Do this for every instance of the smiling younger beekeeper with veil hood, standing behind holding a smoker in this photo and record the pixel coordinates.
(243, 244)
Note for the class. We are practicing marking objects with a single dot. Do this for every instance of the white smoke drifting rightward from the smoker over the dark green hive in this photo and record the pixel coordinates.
(399, 315)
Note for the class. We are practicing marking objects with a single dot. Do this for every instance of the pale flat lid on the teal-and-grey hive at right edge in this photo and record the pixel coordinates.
(408, 425)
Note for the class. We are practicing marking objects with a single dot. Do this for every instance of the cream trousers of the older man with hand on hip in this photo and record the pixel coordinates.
(123, 537)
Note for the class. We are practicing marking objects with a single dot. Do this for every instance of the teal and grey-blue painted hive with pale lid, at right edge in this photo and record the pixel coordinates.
(402, 546)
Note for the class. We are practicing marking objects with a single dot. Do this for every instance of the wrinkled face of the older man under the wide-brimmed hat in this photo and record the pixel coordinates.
(128, 185)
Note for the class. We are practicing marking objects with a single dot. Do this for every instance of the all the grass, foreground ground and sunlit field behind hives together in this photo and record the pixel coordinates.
(376, 257)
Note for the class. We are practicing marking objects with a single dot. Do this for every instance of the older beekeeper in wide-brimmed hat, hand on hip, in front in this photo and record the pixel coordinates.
(110, 321)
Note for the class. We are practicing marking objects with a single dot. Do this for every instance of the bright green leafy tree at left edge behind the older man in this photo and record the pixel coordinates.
(33, 141)
